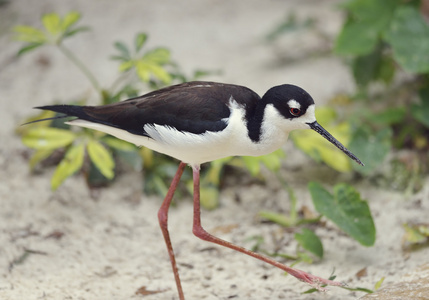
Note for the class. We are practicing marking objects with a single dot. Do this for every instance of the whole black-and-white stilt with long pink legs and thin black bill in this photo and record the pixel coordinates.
(197, 122)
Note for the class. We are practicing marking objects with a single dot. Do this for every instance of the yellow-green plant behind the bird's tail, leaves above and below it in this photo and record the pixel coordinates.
(152, 67)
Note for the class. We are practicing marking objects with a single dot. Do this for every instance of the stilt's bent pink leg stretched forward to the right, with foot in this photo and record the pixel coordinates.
(199, 231)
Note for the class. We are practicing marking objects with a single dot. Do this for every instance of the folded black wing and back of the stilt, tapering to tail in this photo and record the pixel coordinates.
(194, 107)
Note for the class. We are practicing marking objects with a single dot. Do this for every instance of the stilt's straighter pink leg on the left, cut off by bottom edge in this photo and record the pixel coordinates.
(163, 223)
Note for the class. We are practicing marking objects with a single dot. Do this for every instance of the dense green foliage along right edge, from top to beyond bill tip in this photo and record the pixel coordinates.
(381, 41)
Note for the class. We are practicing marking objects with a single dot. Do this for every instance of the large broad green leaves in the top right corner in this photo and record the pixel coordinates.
(373, 26)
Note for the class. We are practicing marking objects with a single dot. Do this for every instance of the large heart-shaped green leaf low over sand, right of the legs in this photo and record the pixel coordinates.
(346, 209)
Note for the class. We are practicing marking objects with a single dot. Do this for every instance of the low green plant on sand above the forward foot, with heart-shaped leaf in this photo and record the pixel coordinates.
(344, 207)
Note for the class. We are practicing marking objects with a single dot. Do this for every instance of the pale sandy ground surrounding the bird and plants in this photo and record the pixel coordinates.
(113, 246)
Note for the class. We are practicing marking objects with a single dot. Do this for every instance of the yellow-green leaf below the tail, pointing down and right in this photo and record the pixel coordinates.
(101, 158)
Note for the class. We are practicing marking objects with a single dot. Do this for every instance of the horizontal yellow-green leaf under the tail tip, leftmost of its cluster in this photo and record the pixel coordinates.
(47, 138)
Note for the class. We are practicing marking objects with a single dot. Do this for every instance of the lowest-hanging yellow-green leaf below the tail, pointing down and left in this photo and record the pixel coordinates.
(72, 162)
